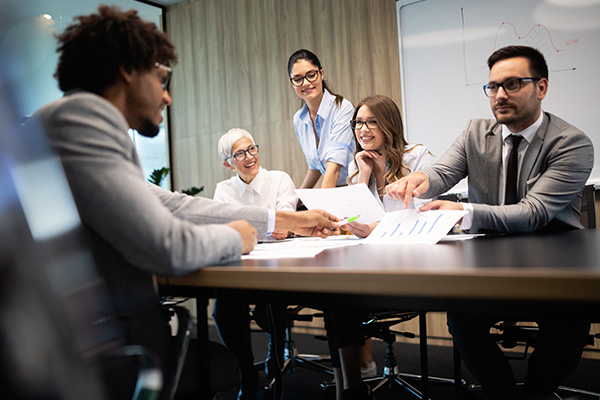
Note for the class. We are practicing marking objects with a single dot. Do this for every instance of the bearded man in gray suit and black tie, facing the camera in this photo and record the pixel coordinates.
(551, 162)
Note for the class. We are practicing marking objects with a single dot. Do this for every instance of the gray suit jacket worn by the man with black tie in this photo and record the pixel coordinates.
(555, 167)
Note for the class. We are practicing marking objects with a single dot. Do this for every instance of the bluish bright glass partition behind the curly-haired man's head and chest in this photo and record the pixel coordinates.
(31, 36)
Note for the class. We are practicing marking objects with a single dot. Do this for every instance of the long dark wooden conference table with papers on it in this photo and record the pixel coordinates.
(536, 272)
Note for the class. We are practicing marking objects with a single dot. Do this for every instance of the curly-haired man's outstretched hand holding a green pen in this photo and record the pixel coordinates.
(308, 223)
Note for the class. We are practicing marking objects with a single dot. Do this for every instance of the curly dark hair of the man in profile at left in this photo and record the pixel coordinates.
(94, 47)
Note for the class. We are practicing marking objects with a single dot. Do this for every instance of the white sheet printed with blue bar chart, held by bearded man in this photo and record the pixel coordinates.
(414, 227)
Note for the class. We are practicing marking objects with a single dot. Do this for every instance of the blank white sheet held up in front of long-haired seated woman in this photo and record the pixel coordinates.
(344, 202)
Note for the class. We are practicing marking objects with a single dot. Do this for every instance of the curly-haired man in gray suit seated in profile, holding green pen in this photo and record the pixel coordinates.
(114, 69)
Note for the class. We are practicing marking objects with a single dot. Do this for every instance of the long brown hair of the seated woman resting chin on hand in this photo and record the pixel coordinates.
(389, 120)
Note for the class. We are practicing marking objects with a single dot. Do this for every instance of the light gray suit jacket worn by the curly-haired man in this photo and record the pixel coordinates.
(137, 229)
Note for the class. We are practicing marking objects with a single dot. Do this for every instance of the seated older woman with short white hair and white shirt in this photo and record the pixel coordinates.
(255, 186)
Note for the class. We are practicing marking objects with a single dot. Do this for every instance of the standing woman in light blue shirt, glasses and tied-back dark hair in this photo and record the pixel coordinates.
(322, 124)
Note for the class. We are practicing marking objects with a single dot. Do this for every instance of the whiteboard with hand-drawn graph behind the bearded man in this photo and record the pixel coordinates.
(444, 47)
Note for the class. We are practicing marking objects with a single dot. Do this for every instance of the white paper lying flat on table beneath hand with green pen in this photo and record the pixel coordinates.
(299, 247)
